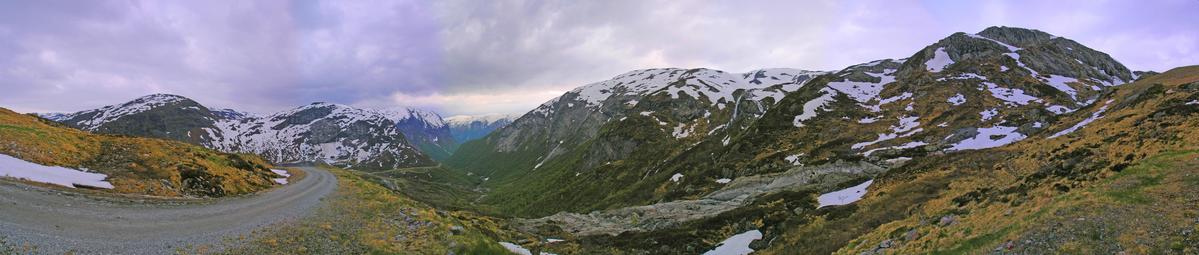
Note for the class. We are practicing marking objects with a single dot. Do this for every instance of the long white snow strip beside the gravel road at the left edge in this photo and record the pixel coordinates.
(17, 168)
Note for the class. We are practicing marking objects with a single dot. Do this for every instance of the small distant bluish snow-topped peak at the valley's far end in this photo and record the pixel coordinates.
(425, 130)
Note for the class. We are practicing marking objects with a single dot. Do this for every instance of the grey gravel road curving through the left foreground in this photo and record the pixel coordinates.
(58, 223)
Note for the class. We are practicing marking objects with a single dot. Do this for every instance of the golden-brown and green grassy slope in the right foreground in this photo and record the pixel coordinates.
(1032, 191)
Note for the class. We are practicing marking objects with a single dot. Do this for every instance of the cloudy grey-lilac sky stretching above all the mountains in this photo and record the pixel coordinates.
(479, 57)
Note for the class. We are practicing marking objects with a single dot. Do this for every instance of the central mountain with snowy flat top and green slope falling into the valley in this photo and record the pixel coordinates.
(631, 122)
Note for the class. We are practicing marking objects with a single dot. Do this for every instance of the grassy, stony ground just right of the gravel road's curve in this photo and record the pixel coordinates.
(365, 217)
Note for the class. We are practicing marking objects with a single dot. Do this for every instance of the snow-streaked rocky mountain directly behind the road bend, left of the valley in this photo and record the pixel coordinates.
(322, 132)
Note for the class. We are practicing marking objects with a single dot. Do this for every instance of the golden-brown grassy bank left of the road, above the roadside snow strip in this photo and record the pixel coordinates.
(135, 166)
